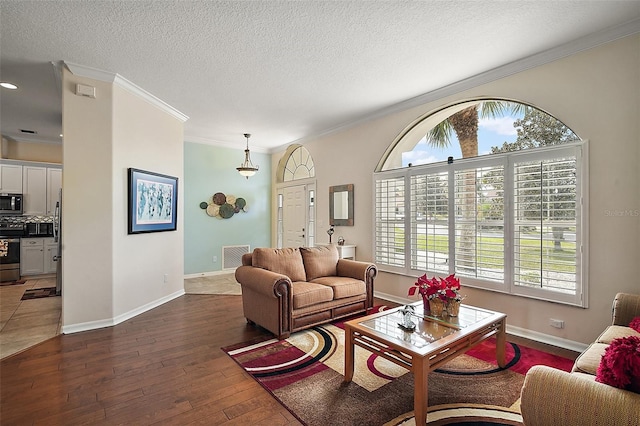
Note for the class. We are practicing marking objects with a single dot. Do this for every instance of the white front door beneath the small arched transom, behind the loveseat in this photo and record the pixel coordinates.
(294, 216)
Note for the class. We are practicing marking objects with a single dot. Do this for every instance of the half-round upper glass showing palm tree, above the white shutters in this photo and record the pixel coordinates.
(475, 128)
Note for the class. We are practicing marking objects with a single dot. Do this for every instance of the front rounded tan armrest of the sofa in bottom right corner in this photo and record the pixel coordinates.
(552, 397)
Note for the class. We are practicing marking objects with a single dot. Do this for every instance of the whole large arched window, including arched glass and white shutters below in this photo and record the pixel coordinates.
(502, 209)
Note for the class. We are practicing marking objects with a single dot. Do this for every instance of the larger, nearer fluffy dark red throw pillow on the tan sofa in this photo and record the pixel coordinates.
(620, 364)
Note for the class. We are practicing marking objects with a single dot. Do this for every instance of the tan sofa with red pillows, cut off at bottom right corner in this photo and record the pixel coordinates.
(552, 397)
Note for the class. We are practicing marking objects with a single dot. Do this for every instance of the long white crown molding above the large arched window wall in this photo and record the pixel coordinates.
(588, 42)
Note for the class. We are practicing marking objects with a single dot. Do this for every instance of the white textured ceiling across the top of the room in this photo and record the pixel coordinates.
(281, 70)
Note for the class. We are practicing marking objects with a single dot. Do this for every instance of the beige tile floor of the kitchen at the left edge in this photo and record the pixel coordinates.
(24, 323)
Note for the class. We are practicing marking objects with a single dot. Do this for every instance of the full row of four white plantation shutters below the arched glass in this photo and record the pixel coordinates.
(509, 222)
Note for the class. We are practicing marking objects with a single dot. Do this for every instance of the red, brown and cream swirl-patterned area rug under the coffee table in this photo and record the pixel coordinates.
(305, 374)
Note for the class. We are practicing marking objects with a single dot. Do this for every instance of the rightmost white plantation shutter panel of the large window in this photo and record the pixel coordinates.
(546, 212)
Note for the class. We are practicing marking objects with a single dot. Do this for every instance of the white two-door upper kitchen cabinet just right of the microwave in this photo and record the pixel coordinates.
(41, 186)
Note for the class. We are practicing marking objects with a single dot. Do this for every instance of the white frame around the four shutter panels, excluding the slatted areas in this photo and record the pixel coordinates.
(409, 222)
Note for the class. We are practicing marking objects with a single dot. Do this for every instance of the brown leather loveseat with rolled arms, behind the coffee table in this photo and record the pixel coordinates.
(289, 289)
